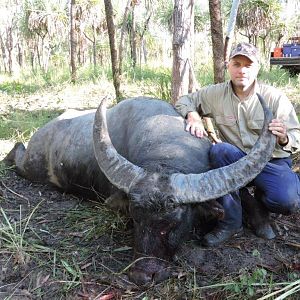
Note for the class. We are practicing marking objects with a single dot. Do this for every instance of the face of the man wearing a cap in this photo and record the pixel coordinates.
(242, 71)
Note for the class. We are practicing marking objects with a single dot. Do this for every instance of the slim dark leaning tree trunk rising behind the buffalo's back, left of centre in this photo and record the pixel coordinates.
(113, 48)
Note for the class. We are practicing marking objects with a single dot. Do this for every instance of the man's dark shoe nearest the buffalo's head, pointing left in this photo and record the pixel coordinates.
(220, 235)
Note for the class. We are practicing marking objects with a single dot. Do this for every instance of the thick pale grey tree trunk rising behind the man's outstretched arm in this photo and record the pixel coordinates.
(183, 11)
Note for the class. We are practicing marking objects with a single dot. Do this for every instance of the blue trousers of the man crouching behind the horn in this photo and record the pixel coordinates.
(277, 185)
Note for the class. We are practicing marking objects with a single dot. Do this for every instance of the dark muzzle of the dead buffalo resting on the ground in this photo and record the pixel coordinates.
(149, 271)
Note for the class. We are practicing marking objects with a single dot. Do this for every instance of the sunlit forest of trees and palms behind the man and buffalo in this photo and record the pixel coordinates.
(48, 40)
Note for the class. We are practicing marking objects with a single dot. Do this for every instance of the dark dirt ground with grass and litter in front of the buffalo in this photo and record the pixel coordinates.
(63, 257)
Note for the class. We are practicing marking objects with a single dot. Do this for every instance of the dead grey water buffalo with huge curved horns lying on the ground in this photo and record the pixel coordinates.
(164, 171)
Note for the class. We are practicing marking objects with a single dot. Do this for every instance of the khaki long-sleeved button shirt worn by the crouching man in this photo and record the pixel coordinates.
(240, 122)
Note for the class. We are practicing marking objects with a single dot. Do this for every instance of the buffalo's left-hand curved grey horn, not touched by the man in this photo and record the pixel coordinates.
(120, 172)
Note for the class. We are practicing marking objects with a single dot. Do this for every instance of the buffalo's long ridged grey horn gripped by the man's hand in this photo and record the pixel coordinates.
(219, 182)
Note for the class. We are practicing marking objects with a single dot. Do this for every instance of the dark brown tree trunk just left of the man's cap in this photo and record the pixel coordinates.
(217, 39)
